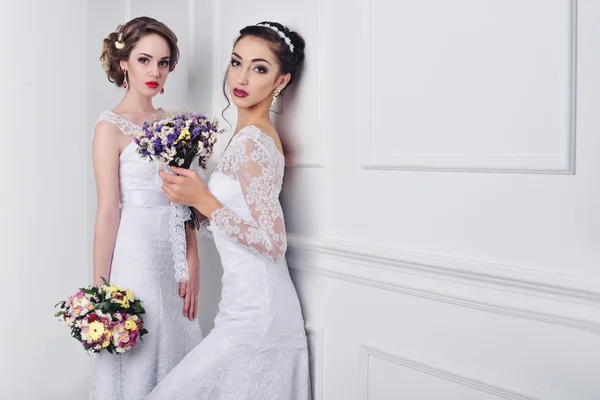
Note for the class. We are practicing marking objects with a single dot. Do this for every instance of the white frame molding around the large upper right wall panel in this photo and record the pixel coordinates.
(505, 163)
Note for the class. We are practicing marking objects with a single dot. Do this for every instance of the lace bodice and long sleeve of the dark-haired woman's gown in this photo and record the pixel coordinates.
(254, 162)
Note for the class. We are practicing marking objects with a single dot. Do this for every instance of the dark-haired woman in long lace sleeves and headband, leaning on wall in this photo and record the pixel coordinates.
(258, 348)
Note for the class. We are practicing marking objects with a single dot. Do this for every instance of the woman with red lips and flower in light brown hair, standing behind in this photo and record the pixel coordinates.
(132, 243)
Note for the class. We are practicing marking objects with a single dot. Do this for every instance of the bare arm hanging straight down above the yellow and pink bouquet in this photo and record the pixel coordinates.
(105, 156)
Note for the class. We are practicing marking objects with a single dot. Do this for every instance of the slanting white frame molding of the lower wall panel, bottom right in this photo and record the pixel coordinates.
(447, 372)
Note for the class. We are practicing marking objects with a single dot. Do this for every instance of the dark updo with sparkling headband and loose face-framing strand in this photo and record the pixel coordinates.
(289, 61)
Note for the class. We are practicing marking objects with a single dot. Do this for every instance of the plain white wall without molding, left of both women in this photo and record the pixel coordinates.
(44, 201)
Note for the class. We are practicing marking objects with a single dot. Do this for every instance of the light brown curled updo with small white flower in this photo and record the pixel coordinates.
(128, 35)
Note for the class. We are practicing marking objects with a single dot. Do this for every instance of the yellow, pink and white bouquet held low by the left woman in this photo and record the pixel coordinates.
(103, 318)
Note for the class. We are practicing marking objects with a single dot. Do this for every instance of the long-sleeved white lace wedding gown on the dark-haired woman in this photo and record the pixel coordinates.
(258, 348)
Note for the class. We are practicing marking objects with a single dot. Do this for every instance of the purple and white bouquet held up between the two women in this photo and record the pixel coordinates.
(176, 141)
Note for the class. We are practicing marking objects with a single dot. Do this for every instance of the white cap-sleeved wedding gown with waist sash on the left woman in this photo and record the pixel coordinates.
(143, 262)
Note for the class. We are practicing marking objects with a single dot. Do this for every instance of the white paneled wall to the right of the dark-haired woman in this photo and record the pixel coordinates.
(454, 230)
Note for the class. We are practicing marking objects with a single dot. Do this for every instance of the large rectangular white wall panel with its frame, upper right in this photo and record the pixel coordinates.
(476, 87)
